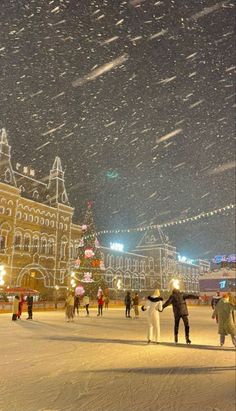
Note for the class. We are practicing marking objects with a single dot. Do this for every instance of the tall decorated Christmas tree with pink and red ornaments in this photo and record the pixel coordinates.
(89, 266)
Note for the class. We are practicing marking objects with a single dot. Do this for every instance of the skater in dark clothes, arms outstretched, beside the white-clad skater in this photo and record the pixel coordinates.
(180, 310)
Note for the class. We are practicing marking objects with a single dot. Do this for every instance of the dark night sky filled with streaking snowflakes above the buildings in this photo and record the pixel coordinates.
(137, 97)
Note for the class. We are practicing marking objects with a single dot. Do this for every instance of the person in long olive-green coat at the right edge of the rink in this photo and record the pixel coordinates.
(223, 313)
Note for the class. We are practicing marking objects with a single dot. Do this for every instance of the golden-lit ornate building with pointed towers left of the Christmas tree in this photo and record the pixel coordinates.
(38, 239)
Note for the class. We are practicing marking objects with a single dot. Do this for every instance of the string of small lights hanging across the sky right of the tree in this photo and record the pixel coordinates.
(197, 217)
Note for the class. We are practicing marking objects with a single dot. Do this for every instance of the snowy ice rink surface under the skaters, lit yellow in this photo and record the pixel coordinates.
(104, 364)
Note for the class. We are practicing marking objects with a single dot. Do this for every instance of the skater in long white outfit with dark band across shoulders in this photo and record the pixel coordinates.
(153, 318)
